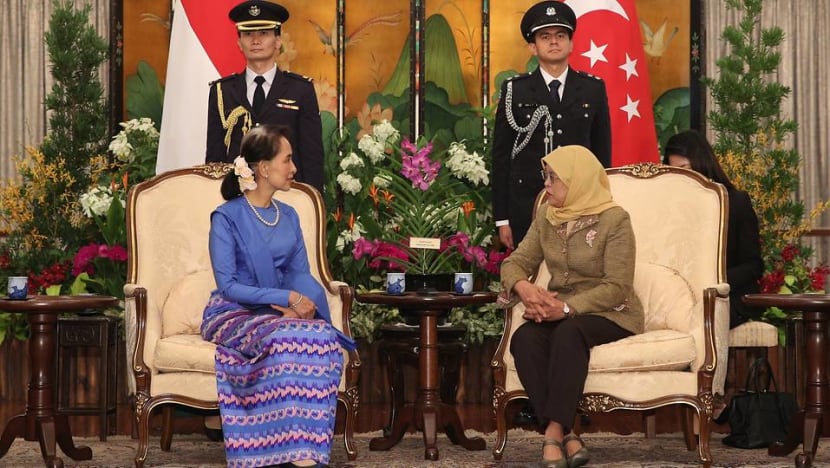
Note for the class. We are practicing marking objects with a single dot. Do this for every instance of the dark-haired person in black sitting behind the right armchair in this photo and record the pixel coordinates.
(744, 264)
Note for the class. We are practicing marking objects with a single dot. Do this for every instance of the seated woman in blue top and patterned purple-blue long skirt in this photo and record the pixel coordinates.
(278, 359)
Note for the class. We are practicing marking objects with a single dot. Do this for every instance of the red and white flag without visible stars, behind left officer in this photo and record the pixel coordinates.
(202, 48)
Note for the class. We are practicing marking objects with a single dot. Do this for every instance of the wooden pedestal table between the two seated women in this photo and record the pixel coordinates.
(429, 412)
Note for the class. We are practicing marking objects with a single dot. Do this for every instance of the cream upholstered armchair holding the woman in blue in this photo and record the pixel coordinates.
(169, 281)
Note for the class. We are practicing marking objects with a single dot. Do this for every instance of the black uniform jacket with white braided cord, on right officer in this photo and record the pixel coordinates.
(582, 118)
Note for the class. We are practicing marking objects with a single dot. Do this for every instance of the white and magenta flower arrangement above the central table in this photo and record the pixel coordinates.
(407, 193)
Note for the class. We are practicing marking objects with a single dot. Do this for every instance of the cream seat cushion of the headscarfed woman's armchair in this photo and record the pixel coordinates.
(649, 351)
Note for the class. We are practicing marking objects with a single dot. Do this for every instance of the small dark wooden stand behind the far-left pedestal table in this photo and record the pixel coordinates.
(97, 336)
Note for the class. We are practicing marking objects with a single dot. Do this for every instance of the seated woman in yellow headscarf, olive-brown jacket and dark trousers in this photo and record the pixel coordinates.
(587, 243)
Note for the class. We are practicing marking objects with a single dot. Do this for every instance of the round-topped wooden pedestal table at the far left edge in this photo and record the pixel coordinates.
(40, 421)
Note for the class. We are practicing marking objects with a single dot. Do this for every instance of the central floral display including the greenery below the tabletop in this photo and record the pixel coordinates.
(395, 195)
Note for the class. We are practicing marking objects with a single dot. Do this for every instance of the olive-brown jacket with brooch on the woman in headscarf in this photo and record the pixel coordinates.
(592, 269)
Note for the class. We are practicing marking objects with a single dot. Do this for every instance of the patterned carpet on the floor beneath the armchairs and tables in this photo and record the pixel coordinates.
(608, 450)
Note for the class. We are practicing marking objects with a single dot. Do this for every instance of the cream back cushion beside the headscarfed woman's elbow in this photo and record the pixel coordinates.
(667, 298)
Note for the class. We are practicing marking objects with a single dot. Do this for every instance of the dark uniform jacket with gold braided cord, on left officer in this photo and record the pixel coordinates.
(291, 101)
